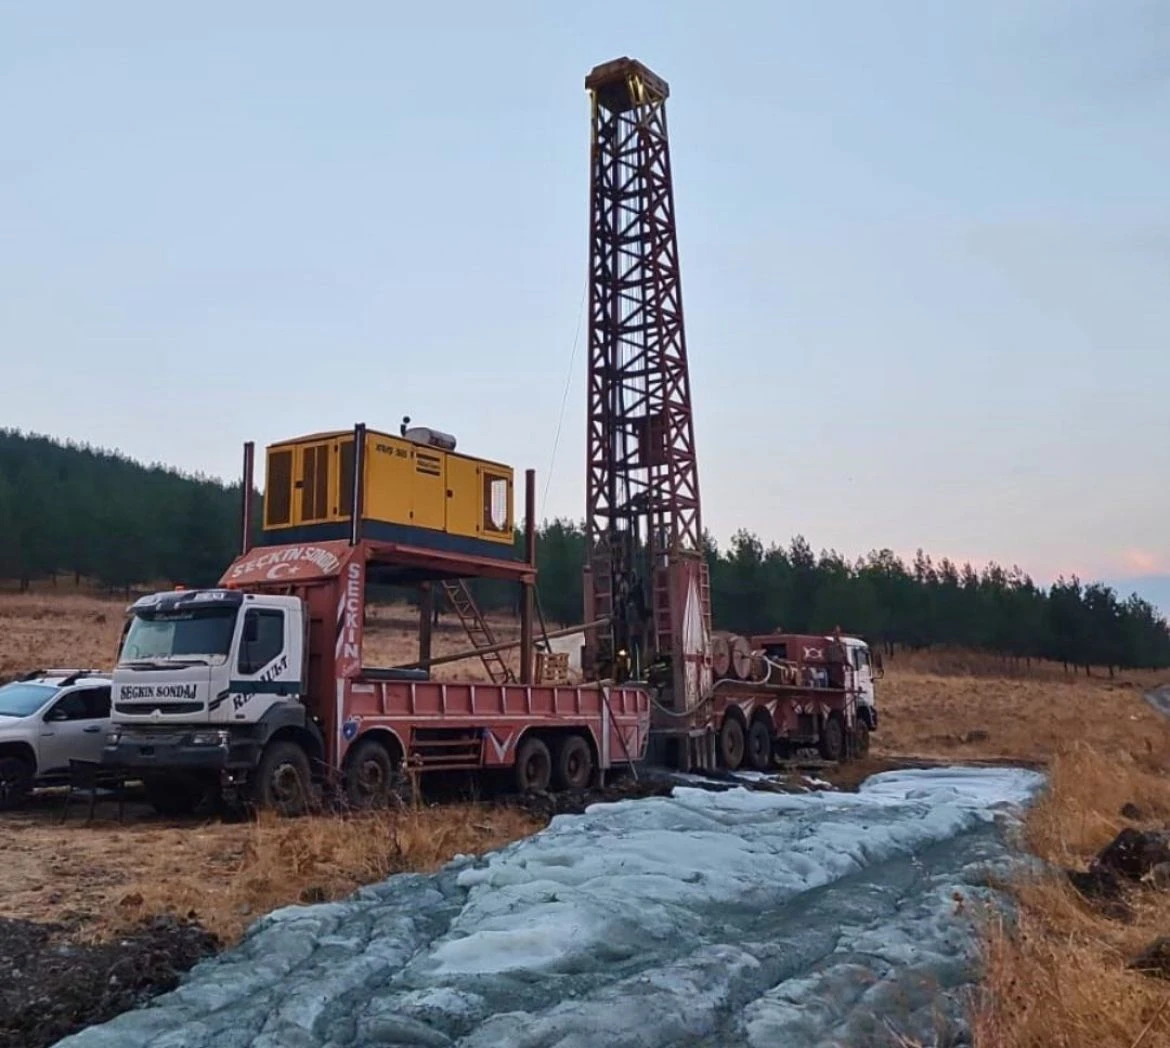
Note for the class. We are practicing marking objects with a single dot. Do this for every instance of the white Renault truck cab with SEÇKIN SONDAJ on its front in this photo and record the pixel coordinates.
(205, 680)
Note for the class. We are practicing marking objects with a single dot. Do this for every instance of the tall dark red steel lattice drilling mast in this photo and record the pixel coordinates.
(643, 486)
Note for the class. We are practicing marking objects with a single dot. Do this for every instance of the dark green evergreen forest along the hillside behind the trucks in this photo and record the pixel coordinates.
(72, 509)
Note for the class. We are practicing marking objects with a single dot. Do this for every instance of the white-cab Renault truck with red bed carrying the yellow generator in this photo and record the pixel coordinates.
(258, 686)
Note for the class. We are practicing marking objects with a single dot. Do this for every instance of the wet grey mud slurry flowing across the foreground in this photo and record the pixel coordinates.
(704, 920)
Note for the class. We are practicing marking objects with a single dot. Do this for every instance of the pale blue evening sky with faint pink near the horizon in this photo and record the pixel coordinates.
(925, 249)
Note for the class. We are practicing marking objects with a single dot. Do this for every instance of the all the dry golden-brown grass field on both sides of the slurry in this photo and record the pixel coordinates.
(1057, 978)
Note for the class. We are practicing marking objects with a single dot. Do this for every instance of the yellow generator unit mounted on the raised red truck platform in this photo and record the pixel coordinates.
(416, 491)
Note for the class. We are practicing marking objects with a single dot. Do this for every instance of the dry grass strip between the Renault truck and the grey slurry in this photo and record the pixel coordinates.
(102, 878)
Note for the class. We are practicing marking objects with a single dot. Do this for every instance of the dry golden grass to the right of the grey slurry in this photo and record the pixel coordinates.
(1059, 976)
